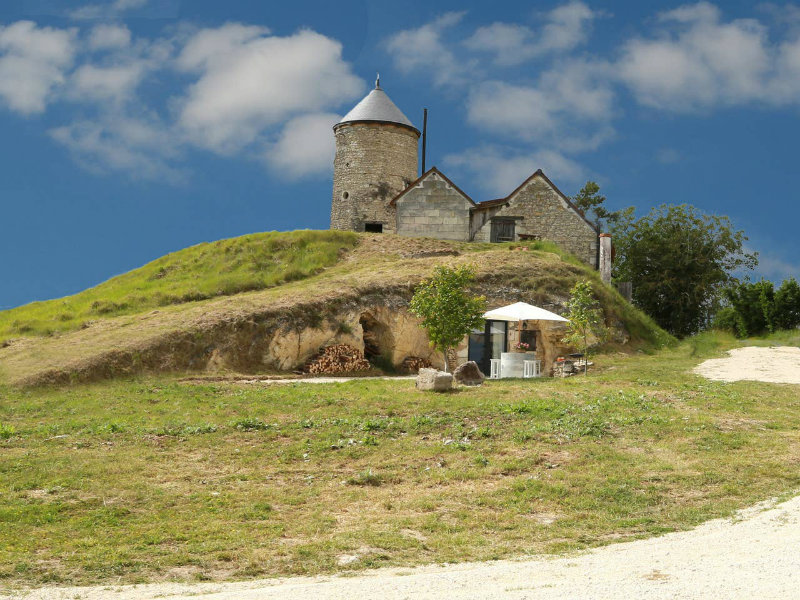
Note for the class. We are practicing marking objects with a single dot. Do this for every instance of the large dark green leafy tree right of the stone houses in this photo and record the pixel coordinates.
(680, 261)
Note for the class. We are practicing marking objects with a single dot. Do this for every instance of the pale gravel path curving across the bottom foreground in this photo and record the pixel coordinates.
(756, 555)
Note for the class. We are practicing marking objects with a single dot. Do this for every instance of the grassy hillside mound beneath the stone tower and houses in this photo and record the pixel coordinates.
(227, 304)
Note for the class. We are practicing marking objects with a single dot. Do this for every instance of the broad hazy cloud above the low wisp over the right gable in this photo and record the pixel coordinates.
(569, 108)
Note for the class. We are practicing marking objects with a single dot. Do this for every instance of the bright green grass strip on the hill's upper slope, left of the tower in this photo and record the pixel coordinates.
(223, 268)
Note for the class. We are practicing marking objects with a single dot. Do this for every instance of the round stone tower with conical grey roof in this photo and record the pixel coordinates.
(376, 159)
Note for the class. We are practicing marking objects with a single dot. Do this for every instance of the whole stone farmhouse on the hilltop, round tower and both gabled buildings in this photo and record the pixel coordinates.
(377, 188)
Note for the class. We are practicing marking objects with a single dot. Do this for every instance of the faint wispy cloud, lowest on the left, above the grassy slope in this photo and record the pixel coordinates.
(140, 147)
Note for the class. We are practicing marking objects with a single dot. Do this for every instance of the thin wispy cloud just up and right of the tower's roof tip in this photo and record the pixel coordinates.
(423, 49)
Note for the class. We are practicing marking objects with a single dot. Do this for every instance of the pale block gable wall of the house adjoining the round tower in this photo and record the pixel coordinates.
(433, 208)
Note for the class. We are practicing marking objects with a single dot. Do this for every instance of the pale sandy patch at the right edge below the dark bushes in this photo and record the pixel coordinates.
(779, 364)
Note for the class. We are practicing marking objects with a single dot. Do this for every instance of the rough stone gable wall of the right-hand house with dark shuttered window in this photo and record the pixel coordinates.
(547, 215)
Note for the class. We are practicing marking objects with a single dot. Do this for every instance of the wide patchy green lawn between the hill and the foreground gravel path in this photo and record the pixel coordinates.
(154, 479)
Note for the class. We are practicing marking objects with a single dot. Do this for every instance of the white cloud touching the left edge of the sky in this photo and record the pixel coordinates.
(33, 62)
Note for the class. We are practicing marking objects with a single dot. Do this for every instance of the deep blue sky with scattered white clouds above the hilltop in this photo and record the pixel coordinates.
(132, 128)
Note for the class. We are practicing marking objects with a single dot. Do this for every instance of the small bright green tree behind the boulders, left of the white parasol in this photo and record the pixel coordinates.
(448, 311)
